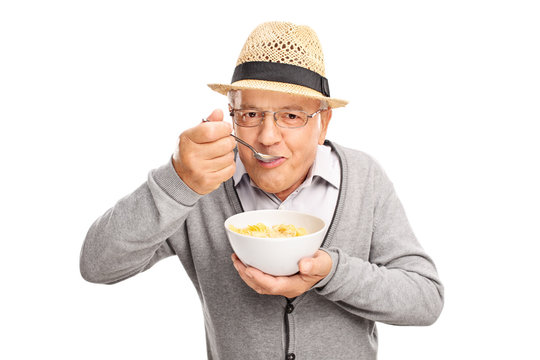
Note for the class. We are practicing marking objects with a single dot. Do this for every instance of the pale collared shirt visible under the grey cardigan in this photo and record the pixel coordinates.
(317, 195)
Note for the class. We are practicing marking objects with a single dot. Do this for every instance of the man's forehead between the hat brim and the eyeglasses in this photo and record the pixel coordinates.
(264, 99)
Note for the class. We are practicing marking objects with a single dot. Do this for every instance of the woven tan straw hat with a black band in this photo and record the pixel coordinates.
(283, 57)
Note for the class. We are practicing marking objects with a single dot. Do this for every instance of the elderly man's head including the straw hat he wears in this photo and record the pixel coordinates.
(281, 67)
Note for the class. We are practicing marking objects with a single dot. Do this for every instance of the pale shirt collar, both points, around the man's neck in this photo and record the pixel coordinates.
(323, 167)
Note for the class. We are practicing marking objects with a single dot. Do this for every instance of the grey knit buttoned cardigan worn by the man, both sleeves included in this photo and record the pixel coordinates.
(380, 272)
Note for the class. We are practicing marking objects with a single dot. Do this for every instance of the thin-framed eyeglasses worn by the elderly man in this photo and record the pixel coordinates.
(286, 119)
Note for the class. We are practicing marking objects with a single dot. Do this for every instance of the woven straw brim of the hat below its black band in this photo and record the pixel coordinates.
(279, 87)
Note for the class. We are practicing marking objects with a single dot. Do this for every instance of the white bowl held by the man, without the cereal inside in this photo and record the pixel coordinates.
(275, 256)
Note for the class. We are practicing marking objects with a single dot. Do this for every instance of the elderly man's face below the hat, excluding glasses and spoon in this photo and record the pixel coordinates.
(297, 146)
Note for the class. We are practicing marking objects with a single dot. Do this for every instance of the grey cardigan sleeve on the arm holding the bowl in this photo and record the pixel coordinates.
(399, 283)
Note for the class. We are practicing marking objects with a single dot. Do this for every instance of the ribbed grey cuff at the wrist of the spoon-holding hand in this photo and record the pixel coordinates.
(169, 181)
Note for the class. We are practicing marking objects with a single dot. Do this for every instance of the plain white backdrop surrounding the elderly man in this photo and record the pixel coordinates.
(93, 94)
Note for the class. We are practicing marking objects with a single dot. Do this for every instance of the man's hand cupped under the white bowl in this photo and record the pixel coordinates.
(312, 270)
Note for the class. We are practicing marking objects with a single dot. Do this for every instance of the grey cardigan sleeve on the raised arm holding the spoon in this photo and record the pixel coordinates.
(132, 235)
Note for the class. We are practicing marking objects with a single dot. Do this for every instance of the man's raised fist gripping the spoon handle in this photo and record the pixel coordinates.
(204, 157)
